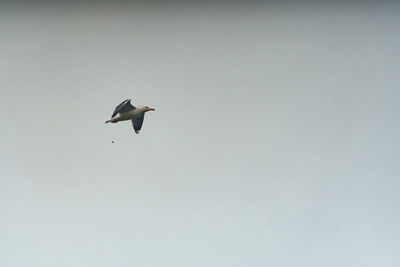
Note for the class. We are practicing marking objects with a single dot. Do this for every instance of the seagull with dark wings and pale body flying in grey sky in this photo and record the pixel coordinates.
(125, 111)
